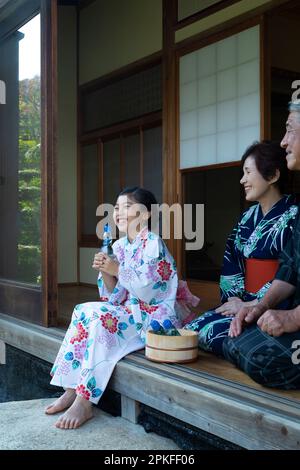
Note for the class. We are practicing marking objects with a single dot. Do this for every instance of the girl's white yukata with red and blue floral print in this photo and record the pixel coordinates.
(101, 333)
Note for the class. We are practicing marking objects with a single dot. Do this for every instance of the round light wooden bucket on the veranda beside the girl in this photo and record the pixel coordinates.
(162, 348)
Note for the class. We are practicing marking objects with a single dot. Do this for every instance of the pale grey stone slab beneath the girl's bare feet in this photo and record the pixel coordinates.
(25, 426)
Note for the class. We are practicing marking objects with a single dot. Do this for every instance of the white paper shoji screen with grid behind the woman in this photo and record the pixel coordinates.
(220, 100)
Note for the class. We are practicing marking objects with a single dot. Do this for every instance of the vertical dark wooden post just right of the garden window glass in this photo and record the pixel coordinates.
(49, 161)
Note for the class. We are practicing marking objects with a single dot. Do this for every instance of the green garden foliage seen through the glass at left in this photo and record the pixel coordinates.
(29, 242)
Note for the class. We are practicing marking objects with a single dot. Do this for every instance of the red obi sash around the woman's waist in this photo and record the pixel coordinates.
(259, 272)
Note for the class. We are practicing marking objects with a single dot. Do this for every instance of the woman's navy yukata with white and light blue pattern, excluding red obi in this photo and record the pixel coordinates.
(255, 236)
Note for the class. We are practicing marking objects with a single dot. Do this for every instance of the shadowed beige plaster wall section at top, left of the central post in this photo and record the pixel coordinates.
(115, 33)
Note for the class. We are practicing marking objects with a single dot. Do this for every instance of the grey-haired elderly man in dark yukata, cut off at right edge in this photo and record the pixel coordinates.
(267, 348)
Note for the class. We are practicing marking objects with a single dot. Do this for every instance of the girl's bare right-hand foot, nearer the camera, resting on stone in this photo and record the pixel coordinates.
(77, 414)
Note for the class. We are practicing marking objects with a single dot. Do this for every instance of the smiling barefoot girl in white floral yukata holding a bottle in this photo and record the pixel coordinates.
(136, 287)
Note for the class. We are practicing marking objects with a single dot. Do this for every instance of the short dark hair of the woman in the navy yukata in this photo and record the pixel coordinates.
(269, 157)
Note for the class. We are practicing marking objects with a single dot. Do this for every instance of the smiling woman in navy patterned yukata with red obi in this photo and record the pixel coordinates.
(251, 255)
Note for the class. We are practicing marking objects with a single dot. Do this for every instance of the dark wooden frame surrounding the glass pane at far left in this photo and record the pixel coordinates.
(40, 305)
